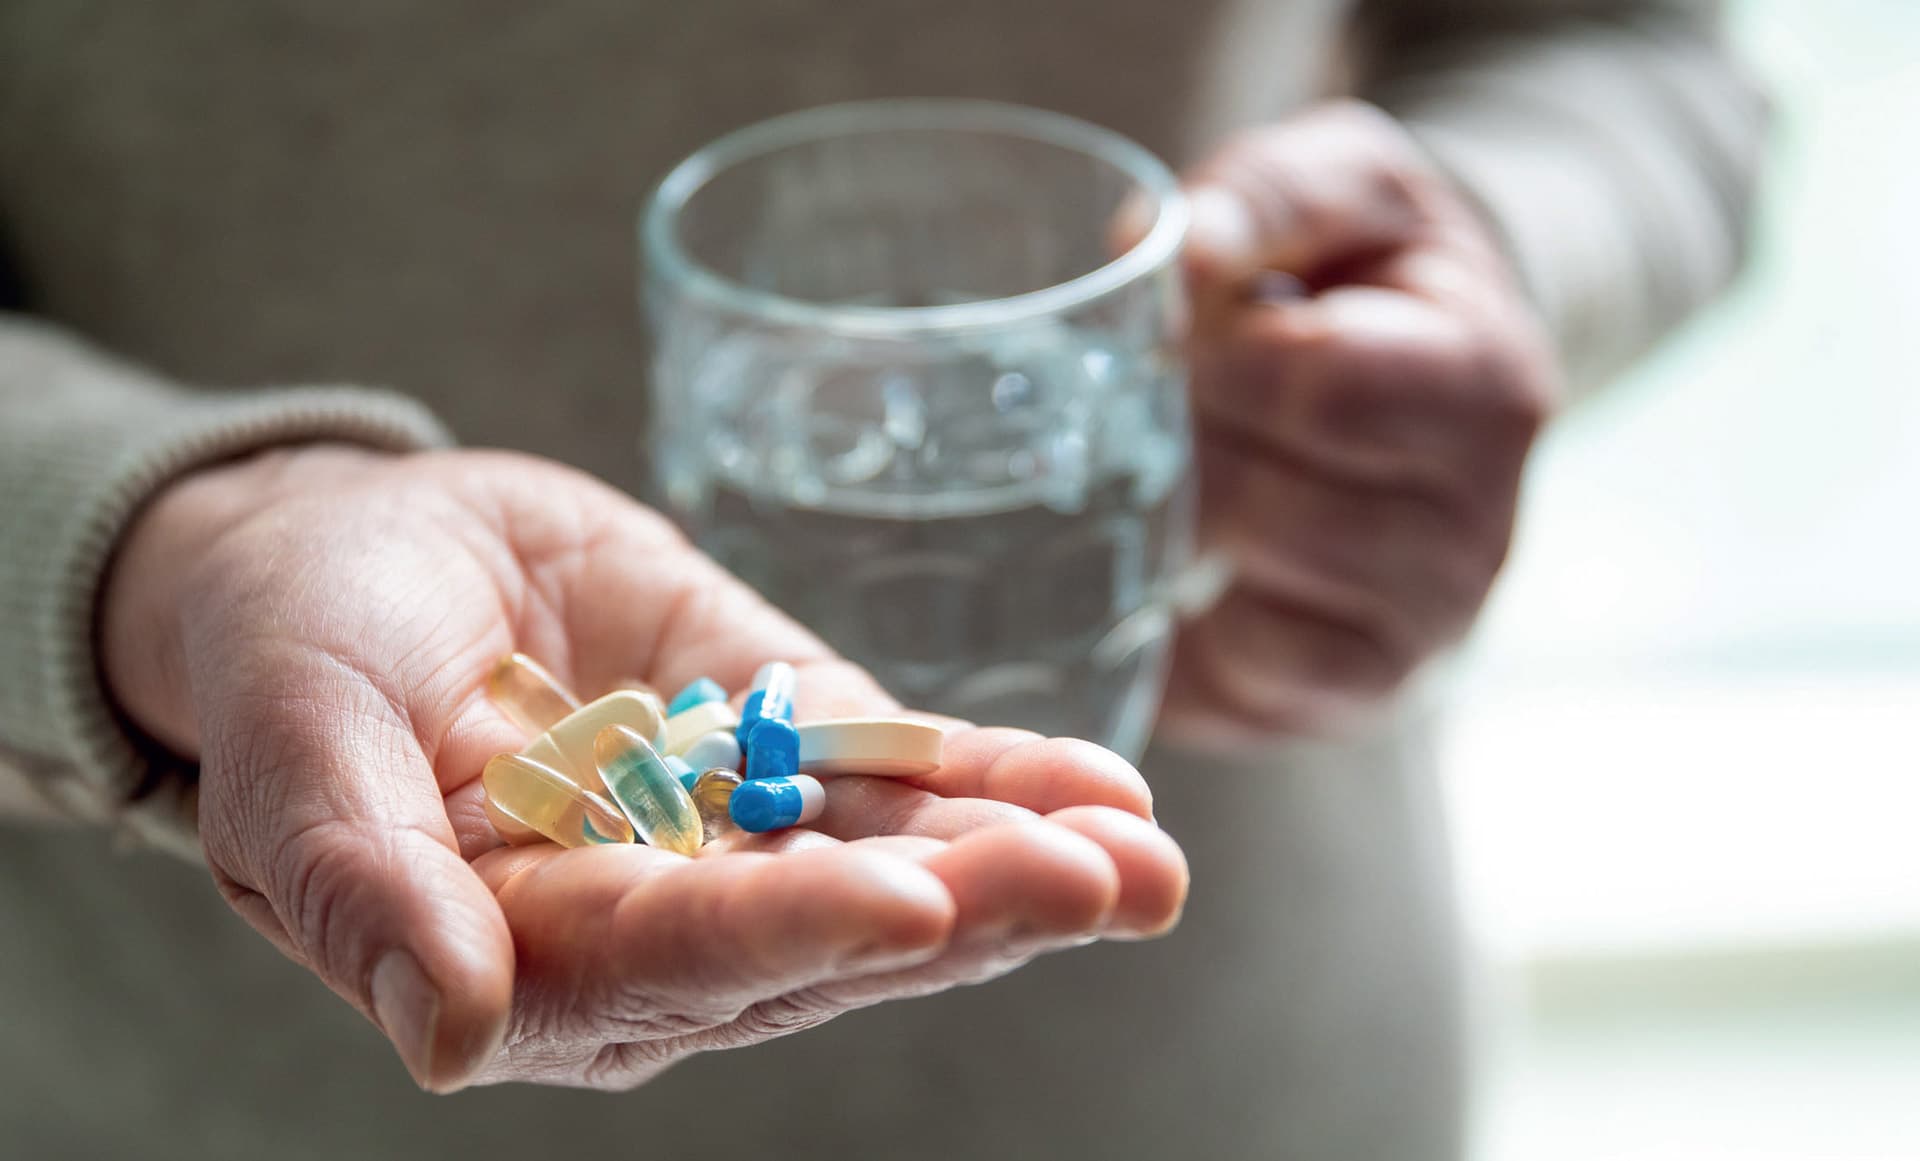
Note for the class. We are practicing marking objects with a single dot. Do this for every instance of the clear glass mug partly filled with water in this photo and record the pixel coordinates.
(907, 391)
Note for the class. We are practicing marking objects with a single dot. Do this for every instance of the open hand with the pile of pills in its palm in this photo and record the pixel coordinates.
(322, 628)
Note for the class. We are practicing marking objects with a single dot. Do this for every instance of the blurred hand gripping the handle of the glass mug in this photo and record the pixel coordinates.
(1362, 421)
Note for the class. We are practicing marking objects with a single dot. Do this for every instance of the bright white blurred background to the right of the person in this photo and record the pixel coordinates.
(1685, 769)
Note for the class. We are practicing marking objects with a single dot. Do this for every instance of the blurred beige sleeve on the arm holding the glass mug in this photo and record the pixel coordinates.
(1614, 145)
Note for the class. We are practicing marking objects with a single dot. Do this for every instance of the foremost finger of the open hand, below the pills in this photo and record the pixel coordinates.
(627, 934)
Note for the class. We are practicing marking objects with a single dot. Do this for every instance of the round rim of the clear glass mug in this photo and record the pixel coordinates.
(665, 256)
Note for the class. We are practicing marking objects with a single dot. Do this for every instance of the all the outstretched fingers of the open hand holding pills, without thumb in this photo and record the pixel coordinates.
(665, 957)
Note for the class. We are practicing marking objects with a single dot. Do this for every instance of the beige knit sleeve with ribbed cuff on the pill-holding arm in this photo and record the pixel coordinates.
(85, 440)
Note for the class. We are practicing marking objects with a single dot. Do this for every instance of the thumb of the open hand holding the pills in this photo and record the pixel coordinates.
(327, 832)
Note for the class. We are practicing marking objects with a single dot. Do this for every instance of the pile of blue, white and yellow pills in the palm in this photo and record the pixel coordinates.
(677, 774)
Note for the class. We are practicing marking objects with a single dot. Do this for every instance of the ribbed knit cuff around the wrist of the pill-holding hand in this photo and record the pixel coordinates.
(114, 774)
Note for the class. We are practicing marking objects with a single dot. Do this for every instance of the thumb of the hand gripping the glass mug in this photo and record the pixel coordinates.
(1305, 197)
